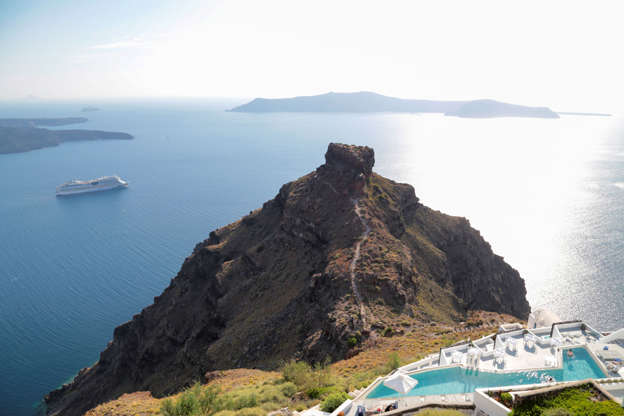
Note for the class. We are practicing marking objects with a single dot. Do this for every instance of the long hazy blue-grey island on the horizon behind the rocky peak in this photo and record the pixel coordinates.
(370, 102)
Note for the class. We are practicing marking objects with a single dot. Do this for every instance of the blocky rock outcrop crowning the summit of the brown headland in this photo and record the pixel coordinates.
(350, 158)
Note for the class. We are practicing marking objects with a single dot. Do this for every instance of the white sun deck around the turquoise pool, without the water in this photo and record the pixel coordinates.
(531, 356)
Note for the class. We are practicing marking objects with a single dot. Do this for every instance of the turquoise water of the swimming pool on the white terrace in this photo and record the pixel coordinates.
(460, 380)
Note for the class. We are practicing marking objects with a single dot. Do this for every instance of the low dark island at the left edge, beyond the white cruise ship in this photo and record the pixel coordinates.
(22, 135)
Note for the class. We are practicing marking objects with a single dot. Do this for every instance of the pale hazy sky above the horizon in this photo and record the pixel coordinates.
(564, 54)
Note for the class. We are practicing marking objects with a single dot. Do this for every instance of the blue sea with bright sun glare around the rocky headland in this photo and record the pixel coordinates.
(547, 194)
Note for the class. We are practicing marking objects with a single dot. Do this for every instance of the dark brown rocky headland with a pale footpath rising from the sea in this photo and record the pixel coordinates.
(340, 252)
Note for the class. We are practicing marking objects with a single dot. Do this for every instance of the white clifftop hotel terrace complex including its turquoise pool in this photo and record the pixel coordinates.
(515, 357)
